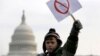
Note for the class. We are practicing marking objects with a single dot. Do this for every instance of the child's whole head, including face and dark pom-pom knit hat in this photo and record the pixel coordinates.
(51, 41)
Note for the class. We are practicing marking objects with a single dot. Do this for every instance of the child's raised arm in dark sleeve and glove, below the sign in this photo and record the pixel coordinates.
(69, 49)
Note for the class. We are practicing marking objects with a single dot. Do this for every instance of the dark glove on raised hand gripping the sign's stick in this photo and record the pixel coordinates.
(76, 28)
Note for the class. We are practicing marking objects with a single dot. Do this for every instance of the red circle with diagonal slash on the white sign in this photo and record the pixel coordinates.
(57, 9)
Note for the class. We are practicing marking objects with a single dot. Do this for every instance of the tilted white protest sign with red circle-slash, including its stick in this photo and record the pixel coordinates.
(62, 8)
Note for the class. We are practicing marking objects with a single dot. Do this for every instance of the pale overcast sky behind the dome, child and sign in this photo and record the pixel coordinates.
(40, 18)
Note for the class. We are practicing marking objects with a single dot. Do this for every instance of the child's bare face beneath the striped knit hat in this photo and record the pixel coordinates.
(51, 44)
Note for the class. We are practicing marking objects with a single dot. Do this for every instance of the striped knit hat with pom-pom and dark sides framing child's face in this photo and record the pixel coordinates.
(52, 33)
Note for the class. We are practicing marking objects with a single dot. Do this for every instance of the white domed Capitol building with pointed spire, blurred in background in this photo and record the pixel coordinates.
(22, 41)
